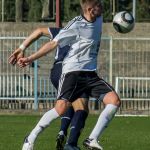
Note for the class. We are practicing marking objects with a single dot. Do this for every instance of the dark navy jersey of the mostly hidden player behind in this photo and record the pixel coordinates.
(60, 52)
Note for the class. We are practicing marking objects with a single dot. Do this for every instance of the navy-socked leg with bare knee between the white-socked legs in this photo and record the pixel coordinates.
(77, 123)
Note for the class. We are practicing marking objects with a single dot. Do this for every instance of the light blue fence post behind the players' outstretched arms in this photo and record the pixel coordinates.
(36, 80)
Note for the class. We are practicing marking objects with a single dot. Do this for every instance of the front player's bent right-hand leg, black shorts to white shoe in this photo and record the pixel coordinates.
(112, 103)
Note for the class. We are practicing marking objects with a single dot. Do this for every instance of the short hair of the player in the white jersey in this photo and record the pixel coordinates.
(84, 3)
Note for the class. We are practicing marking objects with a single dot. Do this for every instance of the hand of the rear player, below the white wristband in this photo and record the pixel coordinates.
(15, 56)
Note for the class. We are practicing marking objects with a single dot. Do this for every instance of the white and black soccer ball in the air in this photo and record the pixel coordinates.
(123, 22)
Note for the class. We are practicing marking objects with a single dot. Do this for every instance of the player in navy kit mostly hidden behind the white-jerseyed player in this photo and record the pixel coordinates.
(77, 119)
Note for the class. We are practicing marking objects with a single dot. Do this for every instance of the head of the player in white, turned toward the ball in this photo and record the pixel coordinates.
(91, 7)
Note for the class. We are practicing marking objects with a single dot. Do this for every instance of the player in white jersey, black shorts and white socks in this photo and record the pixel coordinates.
(79, 72)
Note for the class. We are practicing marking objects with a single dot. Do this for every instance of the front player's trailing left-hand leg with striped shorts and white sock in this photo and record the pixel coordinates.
(67, 91)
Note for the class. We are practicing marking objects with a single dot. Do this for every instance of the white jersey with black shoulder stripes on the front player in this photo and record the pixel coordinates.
(84, 40)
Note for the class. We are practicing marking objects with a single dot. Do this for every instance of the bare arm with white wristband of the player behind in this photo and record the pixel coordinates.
(19, 52)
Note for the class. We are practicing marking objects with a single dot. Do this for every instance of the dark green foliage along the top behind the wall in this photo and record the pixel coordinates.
(32, 10)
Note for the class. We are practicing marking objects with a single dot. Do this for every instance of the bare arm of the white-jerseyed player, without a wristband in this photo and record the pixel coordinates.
(48, 47)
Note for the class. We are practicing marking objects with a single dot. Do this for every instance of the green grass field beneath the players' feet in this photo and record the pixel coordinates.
(124, 133)
